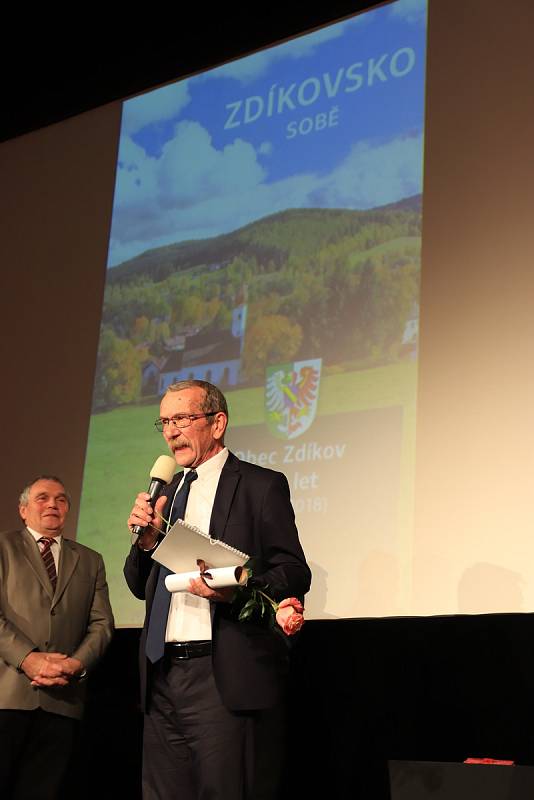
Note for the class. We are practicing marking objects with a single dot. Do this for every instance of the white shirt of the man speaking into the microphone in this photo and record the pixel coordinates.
(189, 615)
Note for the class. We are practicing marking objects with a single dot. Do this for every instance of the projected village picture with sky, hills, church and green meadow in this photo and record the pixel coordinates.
(265, 237)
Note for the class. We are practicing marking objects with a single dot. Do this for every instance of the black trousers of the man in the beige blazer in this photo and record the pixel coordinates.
(35, 751)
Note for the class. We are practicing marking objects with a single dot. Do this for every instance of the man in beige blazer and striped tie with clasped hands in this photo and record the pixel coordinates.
(55, 623)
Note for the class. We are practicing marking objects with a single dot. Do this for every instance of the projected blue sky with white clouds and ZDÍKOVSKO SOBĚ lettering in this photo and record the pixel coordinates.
(333, 119)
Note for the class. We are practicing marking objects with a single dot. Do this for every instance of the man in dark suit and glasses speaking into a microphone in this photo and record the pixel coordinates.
(213, 687)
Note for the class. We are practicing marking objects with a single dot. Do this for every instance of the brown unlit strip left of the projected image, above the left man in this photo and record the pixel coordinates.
(55, 206)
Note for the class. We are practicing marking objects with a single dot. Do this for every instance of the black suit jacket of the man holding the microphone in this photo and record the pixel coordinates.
(251, 511)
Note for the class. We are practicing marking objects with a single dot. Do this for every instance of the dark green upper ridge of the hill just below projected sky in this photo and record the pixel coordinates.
(299, 232)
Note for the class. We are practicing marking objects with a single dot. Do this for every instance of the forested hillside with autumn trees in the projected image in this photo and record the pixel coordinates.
(338, 285)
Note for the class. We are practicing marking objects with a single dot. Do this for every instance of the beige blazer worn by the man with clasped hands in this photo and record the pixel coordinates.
(75, 619)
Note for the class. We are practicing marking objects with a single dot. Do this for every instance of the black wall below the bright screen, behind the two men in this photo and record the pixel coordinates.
(361, 692)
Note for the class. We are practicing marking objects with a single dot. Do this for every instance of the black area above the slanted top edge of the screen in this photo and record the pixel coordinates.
(60, 72)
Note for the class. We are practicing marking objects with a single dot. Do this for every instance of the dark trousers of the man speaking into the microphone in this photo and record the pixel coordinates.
(196, 749)
